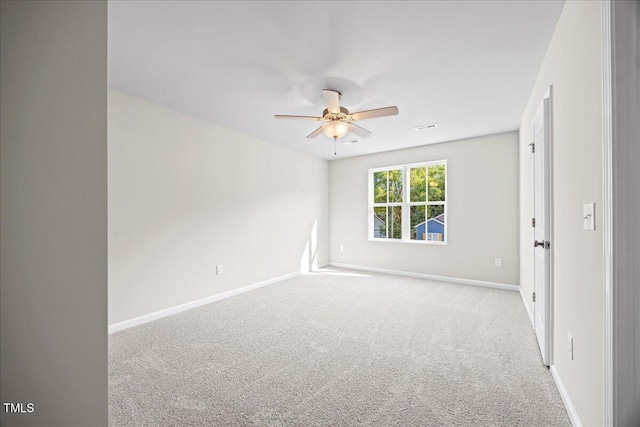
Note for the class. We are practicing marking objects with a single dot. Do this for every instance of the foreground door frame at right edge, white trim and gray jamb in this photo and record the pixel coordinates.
(621, 176)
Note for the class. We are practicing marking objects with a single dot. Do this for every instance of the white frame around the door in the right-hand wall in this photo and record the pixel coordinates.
(549, 298)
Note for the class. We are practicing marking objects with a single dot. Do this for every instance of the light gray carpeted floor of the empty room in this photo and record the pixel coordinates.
(337, 348)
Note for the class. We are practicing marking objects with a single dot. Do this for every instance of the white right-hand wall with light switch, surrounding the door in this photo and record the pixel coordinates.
(573, 64)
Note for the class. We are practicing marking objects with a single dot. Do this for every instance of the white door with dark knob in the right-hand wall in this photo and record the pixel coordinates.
(541, 226)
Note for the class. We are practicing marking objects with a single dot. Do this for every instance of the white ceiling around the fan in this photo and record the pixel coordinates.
(468, 66)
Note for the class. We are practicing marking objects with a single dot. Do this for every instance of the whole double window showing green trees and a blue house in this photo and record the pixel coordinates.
(408, 203)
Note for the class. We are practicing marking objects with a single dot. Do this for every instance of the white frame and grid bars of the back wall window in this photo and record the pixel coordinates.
(406, 204)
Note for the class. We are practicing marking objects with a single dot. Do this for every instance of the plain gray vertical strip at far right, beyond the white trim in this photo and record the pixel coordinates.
(626, 211)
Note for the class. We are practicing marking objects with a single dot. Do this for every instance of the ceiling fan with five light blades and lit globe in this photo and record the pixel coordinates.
(338, 120)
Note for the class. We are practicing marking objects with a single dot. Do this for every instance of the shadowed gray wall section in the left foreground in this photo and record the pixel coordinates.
(53, 198)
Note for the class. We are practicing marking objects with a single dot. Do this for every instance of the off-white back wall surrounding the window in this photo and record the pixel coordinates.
(482, 211)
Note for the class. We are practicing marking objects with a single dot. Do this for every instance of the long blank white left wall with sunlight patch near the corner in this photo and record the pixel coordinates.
(186, 194)
